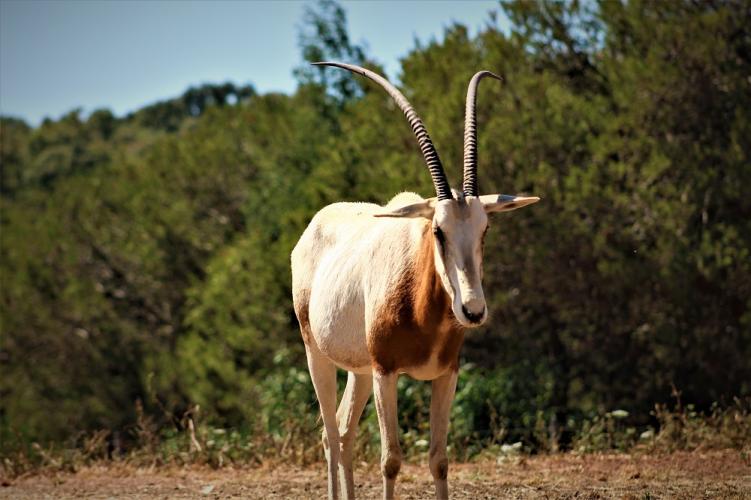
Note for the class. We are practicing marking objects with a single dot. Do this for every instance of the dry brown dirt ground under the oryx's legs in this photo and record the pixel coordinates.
(680, 475)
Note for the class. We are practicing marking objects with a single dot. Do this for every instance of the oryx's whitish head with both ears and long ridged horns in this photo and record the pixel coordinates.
(459, 219)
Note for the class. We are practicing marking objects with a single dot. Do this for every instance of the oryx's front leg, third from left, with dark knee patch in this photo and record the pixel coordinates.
(384, 389)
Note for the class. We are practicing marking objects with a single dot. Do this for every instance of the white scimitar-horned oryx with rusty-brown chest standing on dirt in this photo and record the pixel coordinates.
(385, 290)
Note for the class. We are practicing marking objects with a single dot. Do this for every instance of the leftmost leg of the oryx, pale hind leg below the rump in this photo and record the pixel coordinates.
(323, 375)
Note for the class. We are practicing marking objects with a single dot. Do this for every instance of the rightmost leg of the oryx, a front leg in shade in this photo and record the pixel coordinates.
(441, 398)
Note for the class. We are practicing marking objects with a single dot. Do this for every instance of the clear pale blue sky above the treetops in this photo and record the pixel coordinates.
(61, 54)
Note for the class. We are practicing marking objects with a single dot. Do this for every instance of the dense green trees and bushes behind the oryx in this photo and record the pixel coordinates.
(145, 258)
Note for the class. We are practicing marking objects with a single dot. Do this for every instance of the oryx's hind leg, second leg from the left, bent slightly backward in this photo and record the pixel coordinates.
(355, 397)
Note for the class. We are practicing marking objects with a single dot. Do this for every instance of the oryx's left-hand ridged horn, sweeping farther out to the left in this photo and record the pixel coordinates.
(442, 188)
